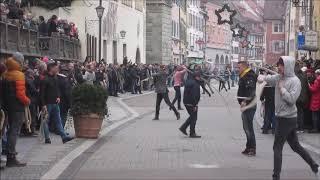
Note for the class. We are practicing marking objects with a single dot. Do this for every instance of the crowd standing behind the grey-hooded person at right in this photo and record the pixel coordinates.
(308, 103)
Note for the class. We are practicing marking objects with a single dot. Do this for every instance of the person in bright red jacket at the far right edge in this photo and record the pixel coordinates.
(315, 102)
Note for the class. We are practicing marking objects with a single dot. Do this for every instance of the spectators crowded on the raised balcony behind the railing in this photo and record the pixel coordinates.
(12, 12)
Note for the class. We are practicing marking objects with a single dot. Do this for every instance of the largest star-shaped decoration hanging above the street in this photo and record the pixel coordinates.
(225, 15)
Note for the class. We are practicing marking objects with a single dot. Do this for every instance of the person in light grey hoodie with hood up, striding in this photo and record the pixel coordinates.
(287, 90)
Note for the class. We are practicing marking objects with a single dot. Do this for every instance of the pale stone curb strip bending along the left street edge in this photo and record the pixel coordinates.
(55, 171)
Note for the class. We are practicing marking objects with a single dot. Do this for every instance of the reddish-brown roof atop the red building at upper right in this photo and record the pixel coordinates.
(274, 10)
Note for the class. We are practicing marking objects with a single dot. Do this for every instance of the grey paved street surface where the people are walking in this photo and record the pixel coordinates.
(146, 149)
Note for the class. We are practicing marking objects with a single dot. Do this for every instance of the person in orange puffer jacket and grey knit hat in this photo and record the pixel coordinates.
(14, 102)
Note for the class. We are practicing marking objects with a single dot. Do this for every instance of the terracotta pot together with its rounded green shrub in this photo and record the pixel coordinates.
(89, 106)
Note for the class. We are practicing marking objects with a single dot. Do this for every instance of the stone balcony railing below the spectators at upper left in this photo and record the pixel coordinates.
(29, 43)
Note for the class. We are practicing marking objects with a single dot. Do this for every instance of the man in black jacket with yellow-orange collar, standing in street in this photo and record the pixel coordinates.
(246, 93)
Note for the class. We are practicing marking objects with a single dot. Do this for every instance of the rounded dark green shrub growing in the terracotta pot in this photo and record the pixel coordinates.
(87, 99)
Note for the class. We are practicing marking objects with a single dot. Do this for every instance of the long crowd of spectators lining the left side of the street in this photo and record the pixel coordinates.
(46, 85)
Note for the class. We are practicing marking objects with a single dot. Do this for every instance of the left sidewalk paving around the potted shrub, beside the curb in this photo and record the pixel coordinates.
(41, 157)
